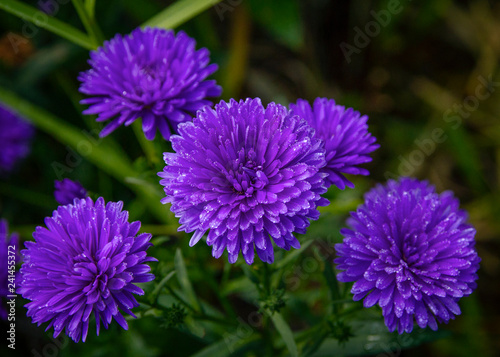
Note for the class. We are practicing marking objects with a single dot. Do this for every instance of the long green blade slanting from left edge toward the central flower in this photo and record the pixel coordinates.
(97, 151)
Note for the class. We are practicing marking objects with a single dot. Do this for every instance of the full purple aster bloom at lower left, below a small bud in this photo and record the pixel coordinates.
(86, 261)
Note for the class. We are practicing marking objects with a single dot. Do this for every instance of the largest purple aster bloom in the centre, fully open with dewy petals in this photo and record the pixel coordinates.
(248, 174)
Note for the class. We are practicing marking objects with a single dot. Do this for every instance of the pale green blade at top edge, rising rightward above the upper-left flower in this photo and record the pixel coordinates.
(179, 12)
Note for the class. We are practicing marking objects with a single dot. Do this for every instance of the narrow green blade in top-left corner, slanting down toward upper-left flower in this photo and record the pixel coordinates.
(46, 22)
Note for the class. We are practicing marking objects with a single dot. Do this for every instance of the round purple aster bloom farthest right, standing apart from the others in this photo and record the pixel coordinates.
(411, 251)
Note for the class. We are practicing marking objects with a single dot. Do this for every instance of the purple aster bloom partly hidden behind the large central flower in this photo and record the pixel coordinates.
(346, 137)
